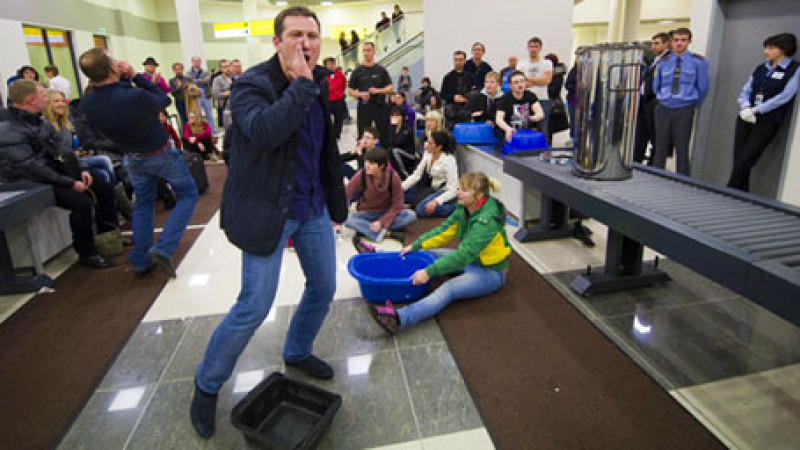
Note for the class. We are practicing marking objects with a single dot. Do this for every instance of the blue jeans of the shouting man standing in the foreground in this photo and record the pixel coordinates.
(315, 246)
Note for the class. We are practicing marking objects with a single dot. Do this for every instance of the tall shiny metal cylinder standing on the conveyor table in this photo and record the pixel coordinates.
(607, 103)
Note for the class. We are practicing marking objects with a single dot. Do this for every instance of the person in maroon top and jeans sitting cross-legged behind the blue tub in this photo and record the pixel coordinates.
(380, 205)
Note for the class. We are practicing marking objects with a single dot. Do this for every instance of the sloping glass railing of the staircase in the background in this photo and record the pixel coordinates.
(387, 40)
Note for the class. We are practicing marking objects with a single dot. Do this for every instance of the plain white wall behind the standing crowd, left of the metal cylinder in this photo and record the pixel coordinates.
(504, 28)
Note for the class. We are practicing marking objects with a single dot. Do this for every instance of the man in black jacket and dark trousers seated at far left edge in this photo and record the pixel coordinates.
(28, 152)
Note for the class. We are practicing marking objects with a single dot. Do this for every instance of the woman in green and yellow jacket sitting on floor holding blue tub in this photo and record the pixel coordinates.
(481, 259)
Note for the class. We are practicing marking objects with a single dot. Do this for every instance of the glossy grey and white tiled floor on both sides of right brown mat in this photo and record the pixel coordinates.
(735, 366)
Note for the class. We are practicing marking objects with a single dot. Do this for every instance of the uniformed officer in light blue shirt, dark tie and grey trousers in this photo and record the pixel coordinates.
(680, 84)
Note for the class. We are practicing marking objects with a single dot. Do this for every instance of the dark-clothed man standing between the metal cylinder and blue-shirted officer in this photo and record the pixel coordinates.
(646, 122)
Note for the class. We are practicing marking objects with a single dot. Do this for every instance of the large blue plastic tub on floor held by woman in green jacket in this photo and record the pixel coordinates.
(385, 276)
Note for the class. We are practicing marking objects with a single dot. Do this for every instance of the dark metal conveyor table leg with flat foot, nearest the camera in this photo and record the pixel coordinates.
(624, 269)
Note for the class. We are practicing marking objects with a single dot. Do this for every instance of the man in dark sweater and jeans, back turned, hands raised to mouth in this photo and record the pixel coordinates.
(128, 115)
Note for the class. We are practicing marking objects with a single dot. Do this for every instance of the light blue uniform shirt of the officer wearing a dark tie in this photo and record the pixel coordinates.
(693, 81)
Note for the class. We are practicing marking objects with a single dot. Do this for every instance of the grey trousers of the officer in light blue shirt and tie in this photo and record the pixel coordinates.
(673, 129)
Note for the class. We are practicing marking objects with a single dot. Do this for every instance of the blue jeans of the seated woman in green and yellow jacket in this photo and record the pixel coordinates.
(474, 281)
